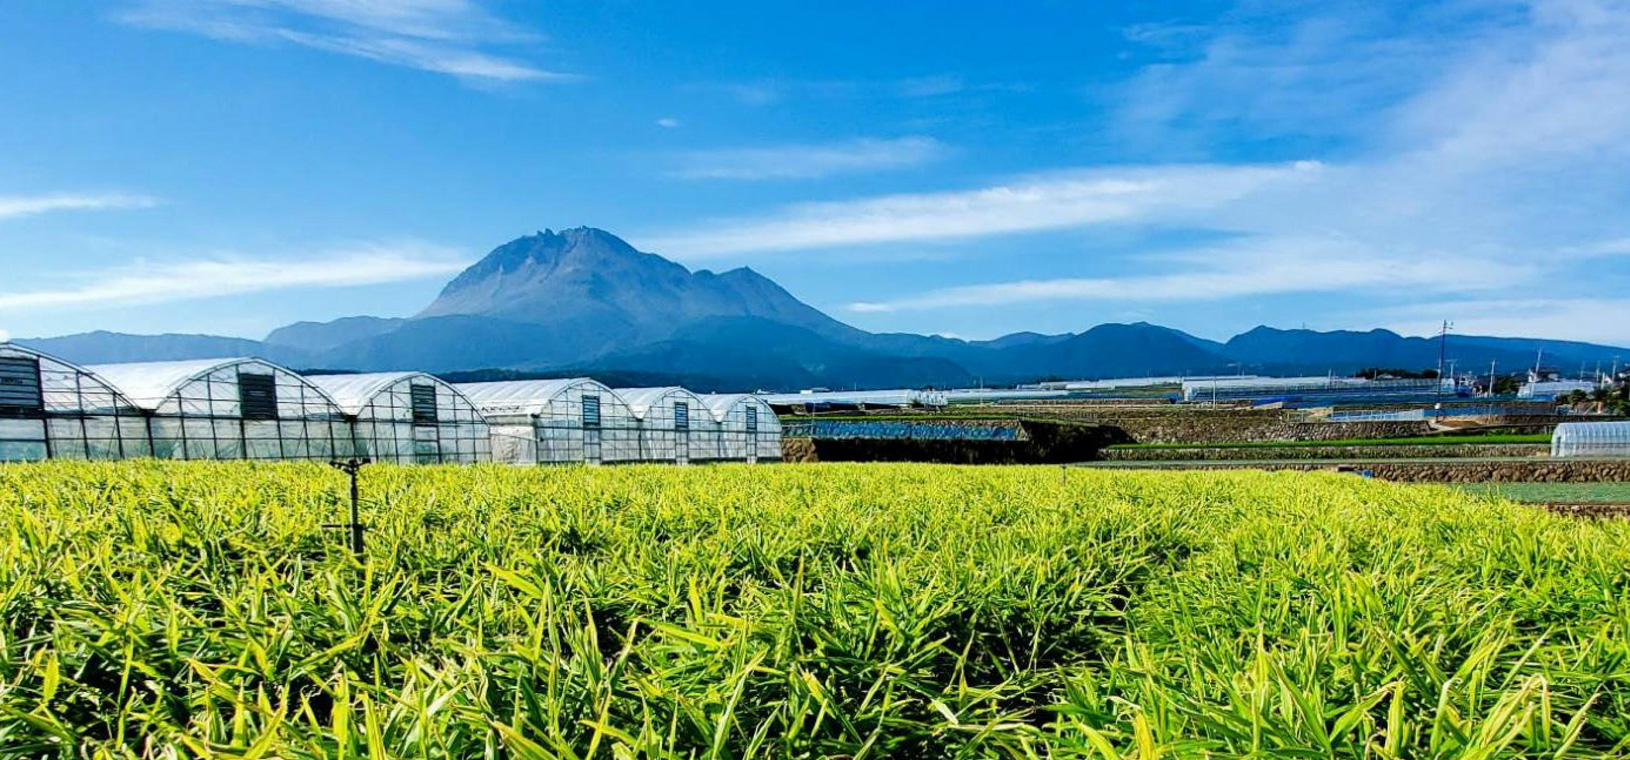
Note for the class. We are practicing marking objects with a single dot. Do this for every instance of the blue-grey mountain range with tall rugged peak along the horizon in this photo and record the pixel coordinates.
(584, 301)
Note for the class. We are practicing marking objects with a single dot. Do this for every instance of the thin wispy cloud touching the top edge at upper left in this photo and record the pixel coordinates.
(444, 37)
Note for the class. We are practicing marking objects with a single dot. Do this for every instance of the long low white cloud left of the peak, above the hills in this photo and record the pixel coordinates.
(180, 281)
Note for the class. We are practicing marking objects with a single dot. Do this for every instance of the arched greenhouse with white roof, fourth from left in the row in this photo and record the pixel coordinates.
(557, 422)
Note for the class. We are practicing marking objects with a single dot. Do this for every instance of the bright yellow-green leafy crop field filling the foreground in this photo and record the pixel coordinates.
(177, 611)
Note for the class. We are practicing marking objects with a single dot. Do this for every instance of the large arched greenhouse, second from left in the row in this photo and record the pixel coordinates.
(232, 410)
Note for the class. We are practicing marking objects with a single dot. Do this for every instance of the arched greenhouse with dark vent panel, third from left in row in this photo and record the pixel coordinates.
(408, 418)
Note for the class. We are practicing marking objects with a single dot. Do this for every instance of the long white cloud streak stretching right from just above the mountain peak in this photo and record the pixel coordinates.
(1049, 201)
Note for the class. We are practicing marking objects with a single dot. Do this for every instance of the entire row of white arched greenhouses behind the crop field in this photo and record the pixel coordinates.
(255, 410)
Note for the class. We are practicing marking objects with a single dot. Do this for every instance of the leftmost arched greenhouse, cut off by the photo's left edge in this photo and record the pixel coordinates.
(56, 410)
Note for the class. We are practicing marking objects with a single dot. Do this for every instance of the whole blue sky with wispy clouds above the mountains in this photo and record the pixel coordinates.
(234, 166)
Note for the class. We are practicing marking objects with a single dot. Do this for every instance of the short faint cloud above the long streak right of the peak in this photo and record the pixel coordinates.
(808, 162)
